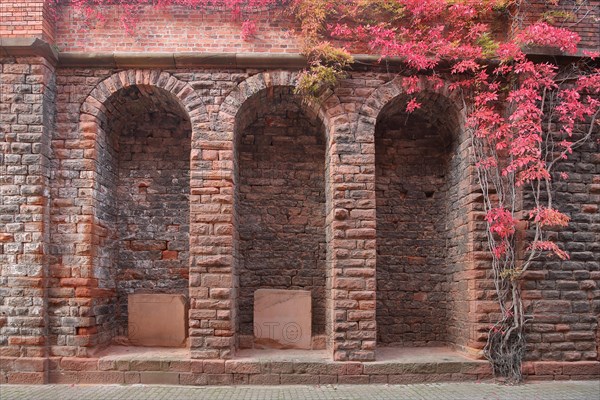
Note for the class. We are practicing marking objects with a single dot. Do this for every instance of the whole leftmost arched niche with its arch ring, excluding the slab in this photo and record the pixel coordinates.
(136, 128)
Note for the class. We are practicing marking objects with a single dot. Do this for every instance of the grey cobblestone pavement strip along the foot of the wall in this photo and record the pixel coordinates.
(558, 390)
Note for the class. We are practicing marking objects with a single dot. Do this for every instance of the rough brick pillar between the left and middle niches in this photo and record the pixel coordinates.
(212, 286)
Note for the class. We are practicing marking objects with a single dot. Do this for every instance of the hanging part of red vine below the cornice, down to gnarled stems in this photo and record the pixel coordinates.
(524, 119)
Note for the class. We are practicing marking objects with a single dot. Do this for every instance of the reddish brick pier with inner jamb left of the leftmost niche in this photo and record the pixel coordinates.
(82, 288)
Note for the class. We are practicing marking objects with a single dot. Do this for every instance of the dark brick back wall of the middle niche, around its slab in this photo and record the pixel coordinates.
(281, 202)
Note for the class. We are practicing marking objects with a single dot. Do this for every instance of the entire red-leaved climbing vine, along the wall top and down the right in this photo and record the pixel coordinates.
(523, 117)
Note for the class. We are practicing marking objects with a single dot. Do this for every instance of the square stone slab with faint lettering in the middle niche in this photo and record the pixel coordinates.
(282, 319)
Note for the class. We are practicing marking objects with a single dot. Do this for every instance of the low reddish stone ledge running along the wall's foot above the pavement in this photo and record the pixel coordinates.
(262, 372)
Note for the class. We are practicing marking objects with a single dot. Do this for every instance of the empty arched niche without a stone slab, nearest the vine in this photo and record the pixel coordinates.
(446, 211)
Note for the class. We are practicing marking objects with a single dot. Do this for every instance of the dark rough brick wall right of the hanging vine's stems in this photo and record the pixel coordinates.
(562, 296)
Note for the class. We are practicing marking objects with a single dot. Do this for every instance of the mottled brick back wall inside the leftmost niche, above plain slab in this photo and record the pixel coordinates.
(150, 195)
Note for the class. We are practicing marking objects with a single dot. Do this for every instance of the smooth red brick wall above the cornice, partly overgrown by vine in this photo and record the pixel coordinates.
(184, 29)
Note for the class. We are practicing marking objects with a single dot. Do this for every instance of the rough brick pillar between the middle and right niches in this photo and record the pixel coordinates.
(351, 240)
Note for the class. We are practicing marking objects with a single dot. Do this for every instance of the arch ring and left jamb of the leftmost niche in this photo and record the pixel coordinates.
(100, 285)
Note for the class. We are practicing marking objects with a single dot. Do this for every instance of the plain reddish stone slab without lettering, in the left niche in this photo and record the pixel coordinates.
(157, 320)
